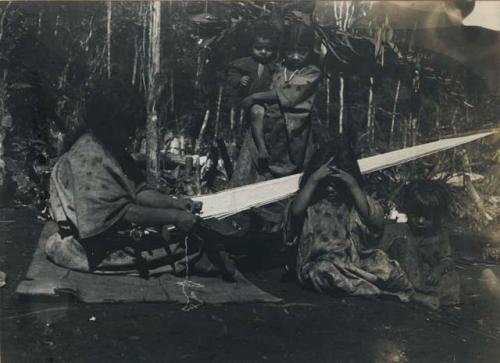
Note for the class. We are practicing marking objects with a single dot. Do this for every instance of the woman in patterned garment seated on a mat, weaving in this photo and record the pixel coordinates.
(97, 193)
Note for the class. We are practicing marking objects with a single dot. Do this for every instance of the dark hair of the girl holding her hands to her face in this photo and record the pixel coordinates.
(342, 156)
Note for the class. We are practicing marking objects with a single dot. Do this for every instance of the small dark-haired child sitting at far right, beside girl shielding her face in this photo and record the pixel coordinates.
(422, 246)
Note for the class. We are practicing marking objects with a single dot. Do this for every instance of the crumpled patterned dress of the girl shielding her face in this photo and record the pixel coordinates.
(333, 253)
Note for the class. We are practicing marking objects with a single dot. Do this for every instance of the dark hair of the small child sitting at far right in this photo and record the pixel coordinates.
(426, 195)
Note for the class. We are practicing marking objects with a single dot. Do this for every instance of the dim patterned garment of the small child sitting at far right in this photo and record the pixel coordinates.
(418, 255)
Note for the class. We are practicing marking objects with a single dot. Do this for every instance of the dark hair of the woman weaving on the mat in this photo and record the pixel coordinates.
(114, 103)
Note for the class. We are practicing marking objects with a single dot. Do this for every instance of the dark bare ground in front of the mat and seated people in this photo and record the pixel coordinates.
(307, 327)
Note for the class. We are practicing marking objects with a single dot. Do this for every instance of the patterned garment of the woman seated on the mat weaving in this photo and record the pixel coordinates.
(90, 192)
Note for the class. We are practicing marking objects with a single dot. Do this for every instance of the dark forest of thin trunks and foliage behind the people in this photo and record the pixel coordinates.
(395, 76)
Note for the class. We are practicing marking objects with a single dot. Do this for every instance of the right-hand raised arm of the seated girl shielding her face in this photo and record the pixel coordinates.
(372, 220)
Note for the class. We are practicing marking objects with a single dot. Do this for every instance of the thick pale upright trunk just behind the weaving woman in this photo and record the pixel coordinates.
(152, 127)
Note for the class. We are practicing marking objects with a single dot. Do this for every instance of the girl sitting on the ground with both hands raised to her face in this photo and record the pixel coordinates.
(330, 223)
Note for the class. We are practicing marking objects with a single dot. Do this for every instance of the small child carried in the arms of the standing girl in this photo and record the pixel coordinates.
(254, 74)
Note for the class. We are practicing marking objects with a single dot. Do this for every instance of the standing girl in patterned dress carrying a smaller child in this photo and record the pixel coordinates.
(285, 129)
